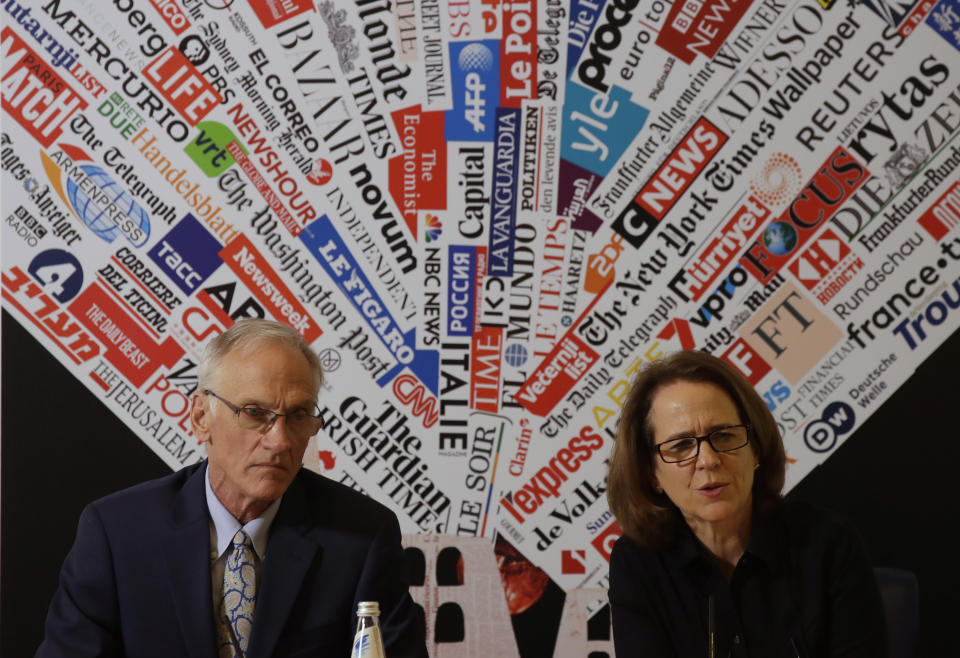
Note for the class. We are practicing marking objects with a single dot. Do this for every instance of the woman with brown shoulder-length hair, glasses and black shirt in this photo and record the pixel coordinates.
(712, 561)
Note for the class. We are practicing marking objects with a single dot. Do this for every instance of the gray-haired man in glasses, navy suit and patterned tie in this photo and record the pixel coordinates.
(246, 554)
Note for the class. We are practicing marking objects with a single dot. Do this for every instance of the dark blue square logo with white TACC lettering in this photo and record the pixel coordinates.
(188, 254)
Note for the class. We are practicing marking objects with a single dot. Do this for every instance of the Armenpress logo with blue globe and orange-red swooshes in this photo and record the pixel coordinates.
(96, 199)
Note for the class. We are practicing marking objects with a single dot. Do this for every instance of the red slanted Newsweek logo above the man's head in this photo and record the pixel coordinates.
(253, 270)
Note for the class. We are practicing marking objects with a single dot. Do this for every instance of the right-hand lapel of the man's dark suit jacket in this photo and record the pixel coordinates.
(294, 545)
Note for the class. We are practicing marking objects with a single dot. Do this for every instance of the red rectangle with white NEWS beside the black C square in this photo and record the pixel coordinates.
(680, 169)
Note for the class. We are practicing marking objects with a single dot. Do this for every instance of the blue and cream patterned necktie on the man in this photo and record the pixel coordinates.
(239, 599)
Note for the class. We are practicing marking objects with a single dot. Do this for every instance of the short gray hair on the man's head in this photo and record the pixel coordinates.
(252, 331)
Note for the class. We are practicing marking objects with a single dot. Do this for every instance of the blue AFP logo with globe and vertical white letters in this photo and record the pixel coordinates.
(475, 82)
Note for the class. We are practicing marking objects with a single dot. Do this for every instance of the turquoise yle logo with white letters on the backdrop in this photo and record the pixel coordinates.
(594, 126)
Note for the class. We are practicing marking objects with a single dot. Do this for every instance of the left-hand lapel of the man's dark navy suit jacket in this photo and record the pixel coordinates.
(187, 554)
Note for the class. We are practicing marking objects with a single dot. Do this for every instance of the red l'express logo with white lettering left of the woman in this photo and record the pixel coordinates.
(546, 483)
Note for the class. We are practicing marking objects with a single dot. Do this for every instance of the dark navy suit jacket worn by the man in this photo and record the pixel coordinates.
(137, 580)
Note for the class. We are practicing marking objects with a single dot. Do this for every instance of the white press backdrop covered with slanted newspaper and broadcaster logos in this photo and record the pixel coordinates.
(485, 217)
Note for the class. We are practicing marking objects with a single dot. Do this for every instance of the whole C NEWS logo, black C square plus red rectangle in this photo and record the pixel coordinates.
(665, 187)
